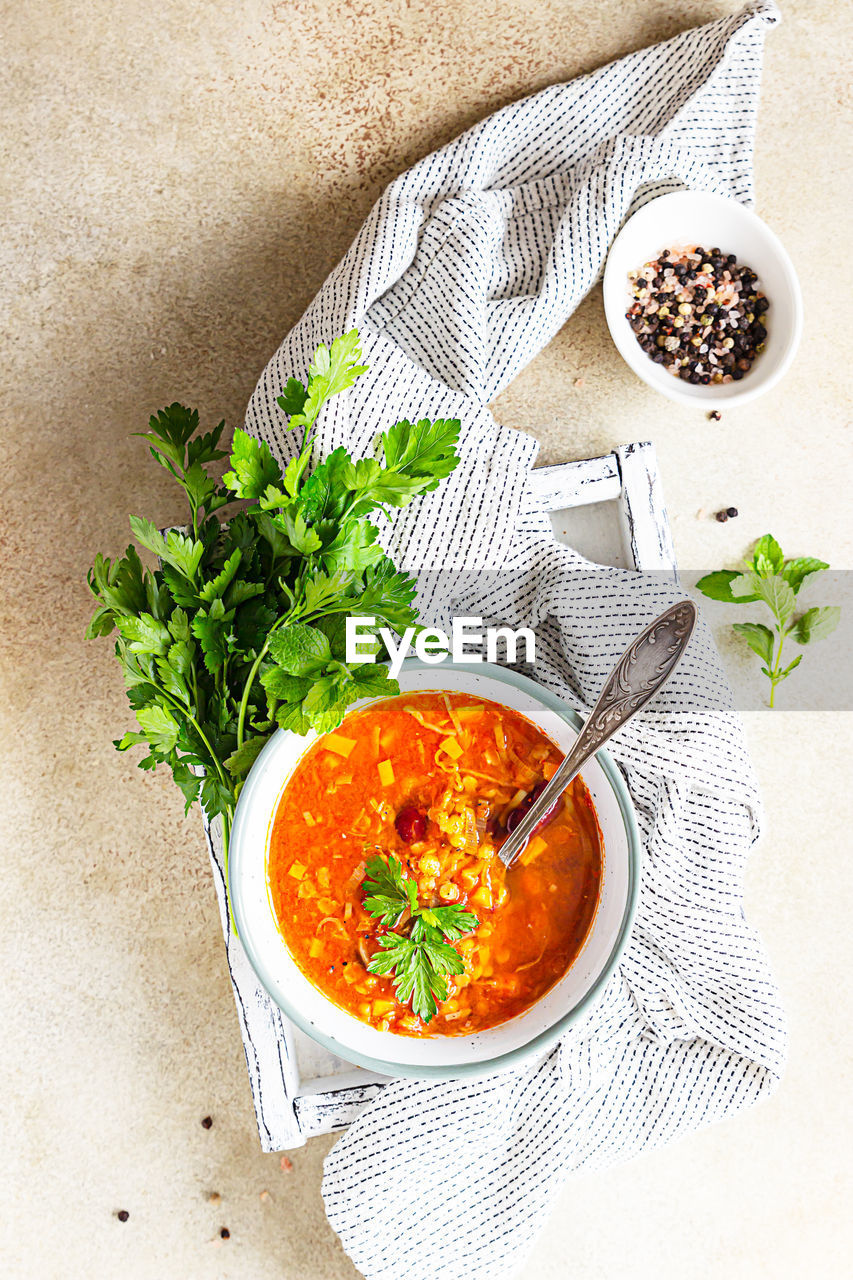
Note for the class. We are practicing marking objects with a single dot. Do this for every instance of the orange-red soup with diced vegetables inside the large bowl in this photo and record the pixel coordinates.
(432, 780)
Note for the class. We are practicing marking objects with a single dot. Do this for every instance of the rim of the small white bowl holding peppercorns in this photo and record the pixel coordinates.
(614, 314)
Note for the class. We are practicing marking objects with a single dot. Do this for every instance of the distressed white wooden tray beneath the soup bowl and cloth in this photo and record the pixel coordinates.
(610, 510)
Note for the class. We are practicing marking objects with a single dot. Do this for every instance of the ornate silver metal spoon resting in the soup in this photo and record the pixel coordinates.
(638, 676)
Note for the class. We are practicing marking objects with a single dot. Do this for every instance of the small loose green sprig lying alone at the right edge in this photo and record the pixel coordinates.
(777, 582)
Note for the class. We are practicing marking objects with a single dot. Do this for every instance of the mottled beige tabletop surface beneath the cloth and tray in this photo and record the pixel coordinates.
(179, 179)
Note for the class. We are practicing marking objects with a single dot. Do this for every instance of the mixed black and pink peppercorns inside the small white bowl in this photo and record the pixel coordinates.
(700, 314)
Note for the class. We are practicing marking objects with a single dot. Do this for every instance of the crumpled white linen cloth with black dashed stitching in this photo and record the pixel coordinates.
(468, 266)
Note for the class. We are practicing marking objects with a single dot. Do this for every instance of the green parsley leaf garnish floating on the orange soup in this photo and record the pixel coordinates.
(422, 959)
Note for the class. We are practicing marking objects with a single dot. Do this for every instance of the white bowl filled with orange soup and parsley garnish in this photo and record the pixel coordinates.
(368, 890)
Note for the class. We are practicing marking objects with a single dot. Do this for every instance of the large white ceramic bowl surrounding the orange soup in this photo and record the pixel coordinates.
(440, 1055)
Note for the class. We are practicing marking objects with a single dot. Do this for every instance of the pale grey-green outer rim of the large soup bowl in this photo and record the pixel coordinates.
(540, 1043)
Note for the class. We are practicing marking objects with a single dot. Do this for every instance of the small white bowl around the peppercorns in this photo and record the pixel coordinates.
(694, 218)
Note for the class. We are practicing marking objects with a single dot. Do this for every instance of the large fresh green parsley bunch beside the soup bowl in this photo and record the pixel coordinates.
(241, 628)
